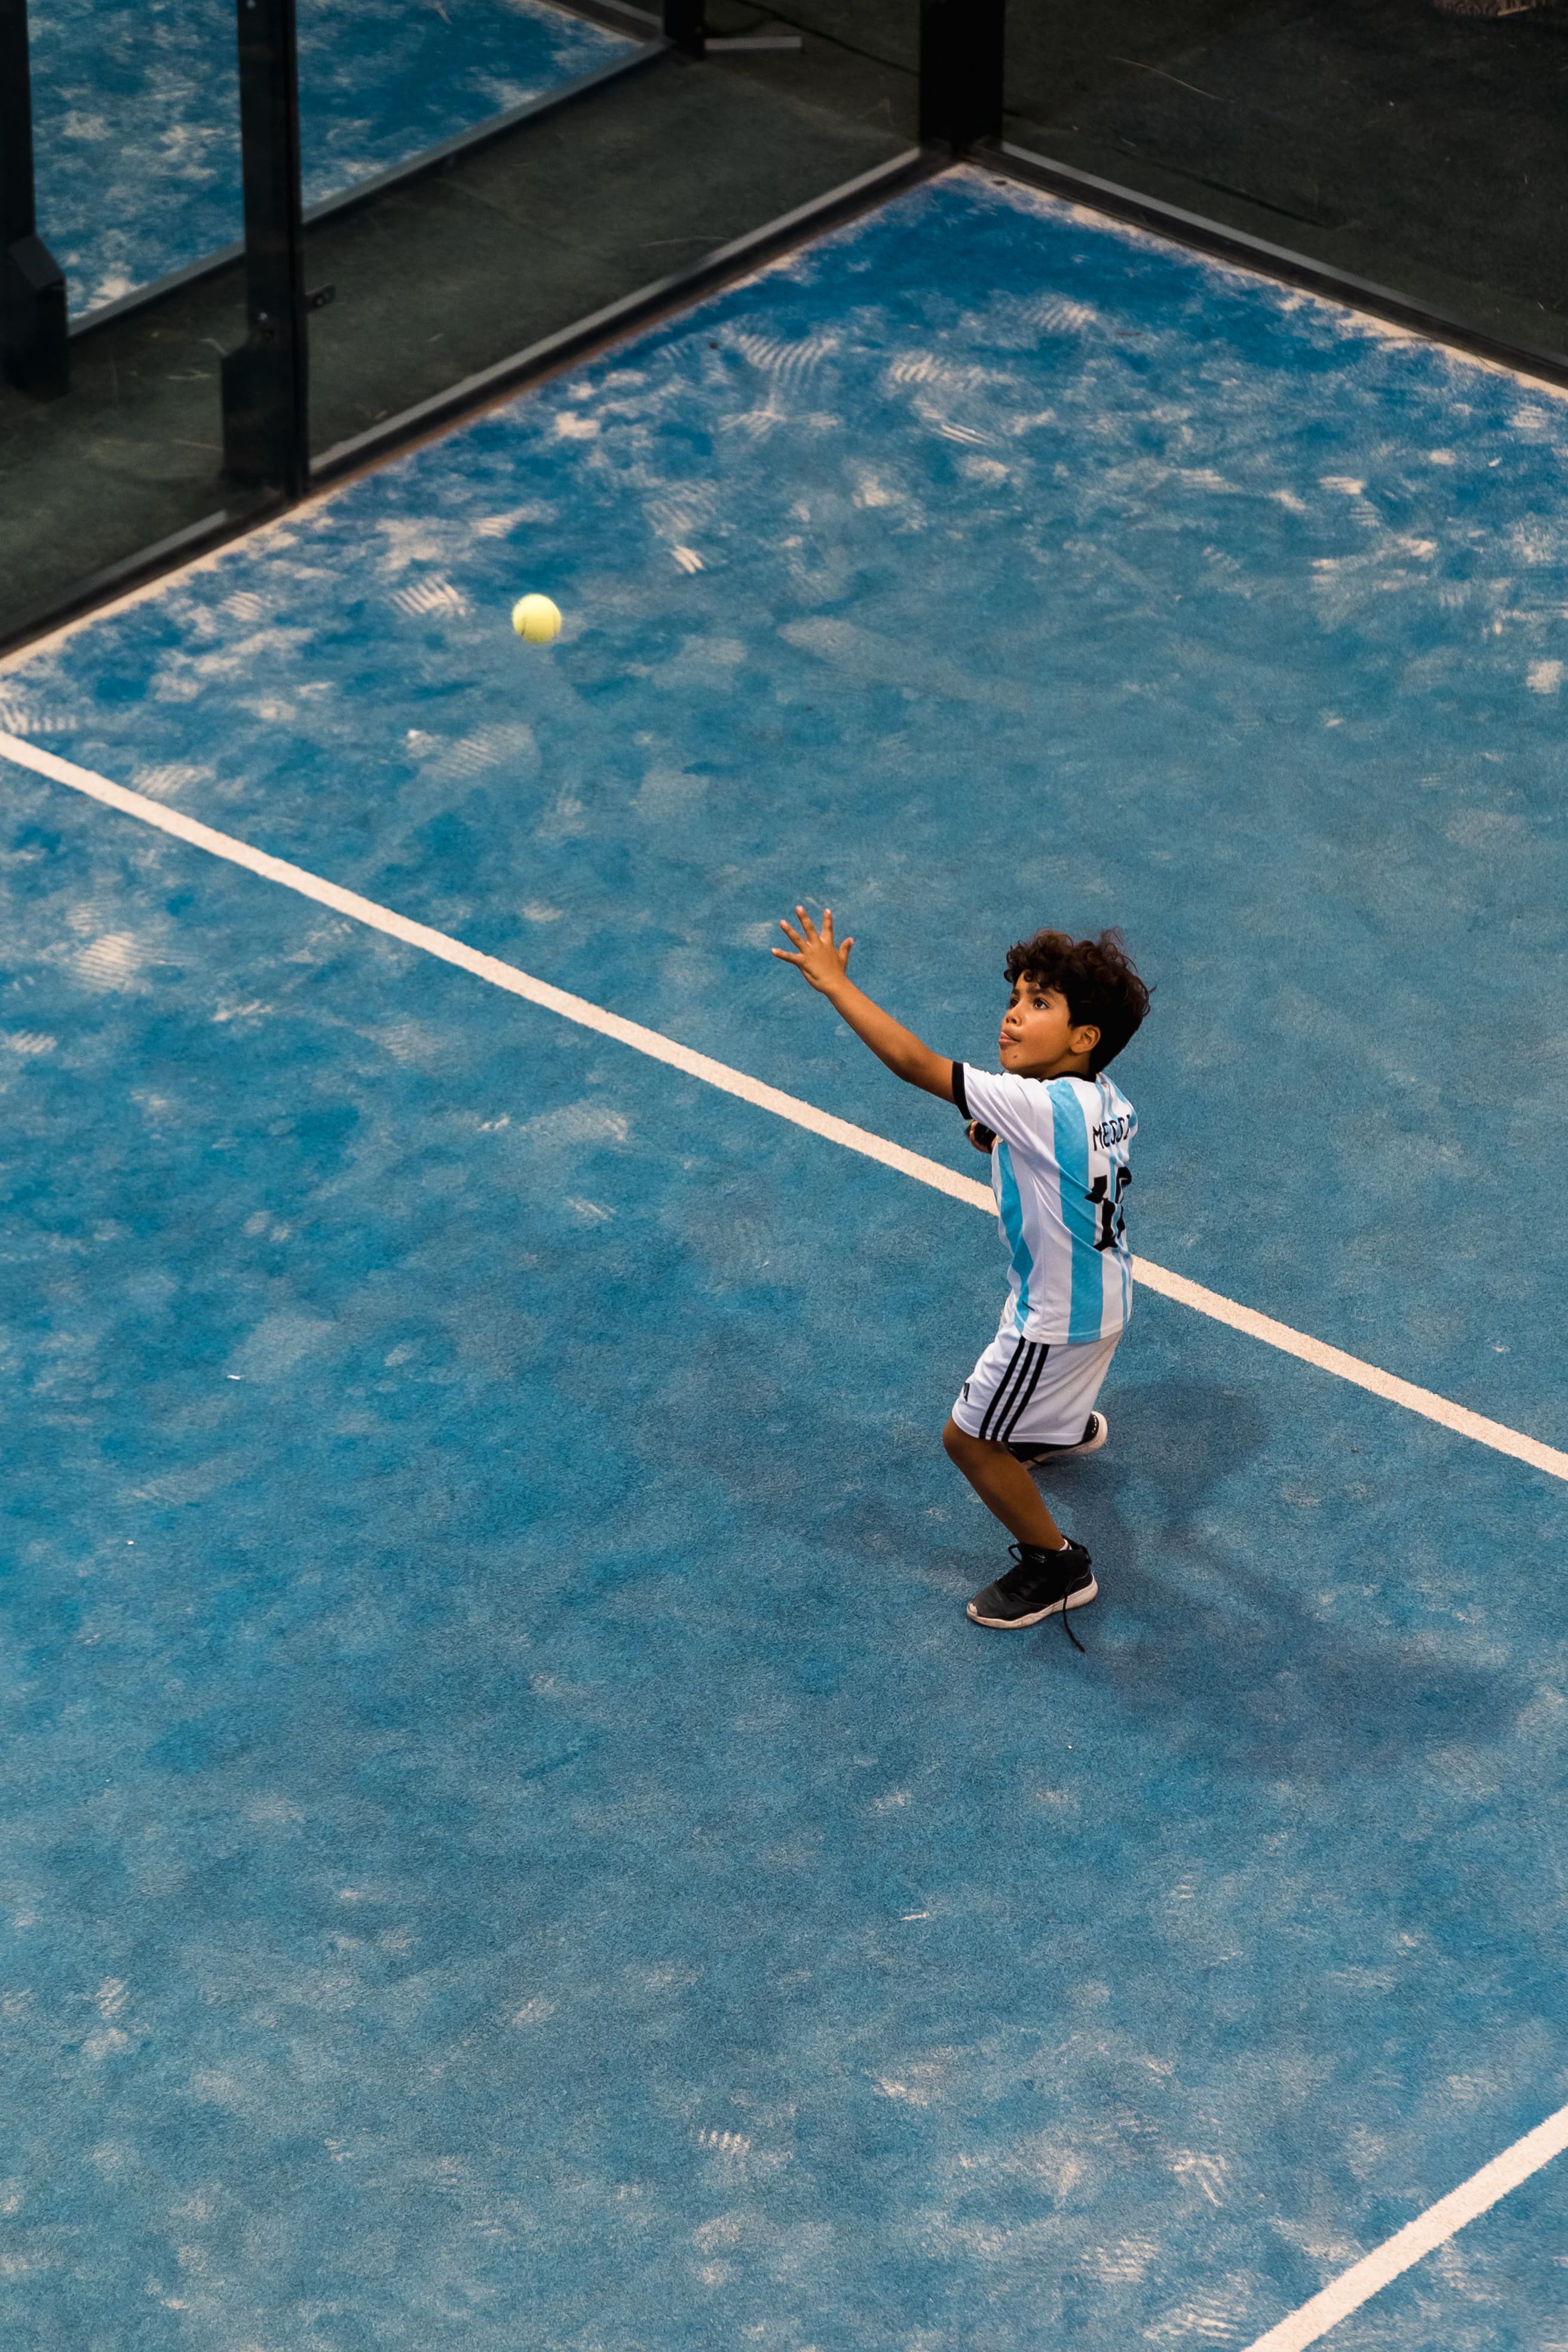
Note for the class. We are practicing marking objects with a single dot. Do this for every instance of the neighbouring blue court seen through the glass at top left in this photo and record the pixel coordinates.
(140, 112)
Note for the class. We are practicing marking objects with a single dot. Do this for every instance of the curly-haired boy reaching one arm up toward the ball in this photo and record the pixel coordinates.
(1059, 1140)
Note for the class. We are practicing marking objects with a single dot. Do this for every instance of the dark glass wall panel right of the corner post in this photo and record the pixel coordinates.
(1402, 142)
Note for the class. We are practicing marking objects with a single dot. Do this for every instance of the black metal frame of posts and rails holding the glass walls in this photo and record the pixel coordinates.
(267, 382)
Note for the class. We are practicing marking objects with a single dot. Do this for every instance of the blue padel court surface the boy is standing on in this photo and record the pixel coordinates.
(511, 1838)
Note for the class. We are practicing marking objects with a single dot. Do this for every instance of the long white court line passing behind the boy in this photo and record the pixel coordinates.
(784, 1107)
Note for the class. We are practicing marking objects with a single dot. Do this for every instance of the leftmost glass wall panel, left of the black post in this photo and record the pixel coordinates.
(128, 119)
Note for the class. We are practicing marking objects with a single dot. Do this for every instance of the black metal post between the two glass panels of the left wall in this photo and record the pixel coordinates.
(267, 406)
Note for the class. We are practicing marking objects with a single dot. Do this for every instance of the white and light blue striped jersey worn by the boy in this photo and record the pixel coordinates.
(1059, 1172)
